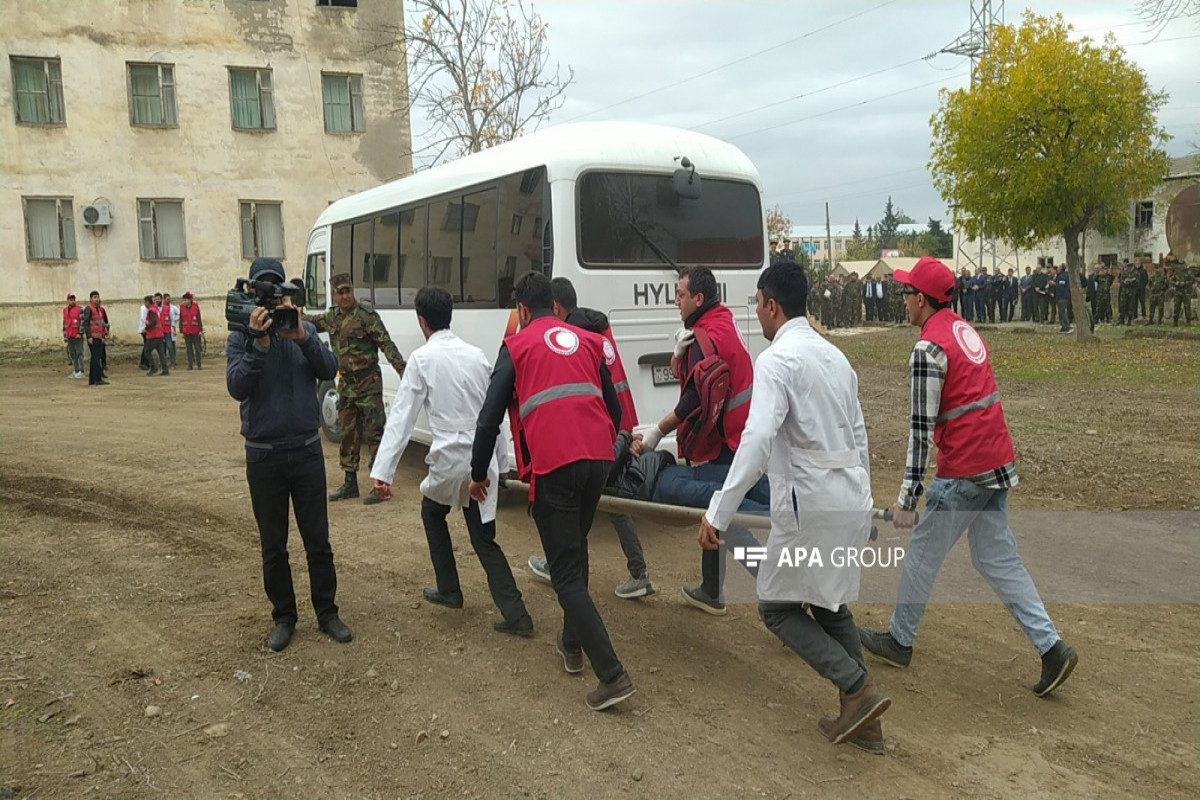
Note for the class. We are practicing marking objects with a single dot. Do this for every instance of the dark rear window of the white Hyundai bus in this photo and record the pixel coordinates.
(631, 220)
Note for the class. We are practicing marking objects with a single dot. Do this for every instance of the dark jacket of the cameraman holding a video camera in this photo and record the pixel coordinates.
(278, 387)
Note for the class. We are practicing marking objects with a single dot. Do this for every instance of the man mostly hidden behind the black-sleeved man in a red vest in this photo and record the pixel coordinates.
(568, 310)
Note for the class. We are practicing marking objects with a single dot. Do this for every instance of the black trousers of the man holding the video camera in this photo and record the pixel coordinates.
(277, 477)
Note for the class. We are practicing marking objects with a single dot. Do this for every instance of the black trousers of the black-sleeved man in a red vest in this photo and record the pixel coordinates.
(563, 508)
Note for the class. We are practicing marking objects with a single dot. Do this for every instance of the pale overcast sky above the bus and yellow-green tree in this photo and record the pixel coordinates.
(763, 76)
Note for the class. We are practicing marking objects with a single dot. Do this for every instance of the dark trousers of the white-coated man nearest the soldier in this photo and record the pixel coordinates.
(483, 539)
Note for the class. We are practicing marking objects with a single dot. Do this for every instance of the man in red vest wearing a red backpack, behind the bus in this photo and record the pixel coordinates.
(698, 298)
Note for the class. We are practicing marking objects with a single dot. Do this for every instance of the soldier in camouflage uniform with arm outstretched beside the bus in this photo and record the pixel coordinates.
(357, 335)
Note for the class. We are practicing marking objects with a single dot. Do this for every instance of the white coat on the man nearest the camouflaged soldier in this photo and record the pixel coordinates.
(448, 378)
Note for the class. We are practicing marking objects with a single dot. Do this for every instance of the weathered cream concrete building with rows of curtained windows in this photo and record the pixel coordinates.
(163, 145)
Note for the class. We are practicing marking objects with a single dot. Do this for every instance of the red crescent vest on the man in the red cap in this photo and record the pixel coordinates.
(970, 432)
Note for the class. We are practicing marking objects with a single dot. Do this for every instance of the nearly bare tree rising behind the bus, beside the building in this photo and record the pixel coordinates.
(479, 70)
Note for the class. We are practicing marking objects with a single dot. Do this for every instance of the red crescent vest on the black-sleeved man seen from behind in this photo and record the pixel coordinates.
(562, 416)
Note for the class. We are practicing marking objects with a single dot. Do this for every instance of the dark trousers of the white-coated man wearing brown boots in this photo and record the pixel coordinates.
(826, 640)
